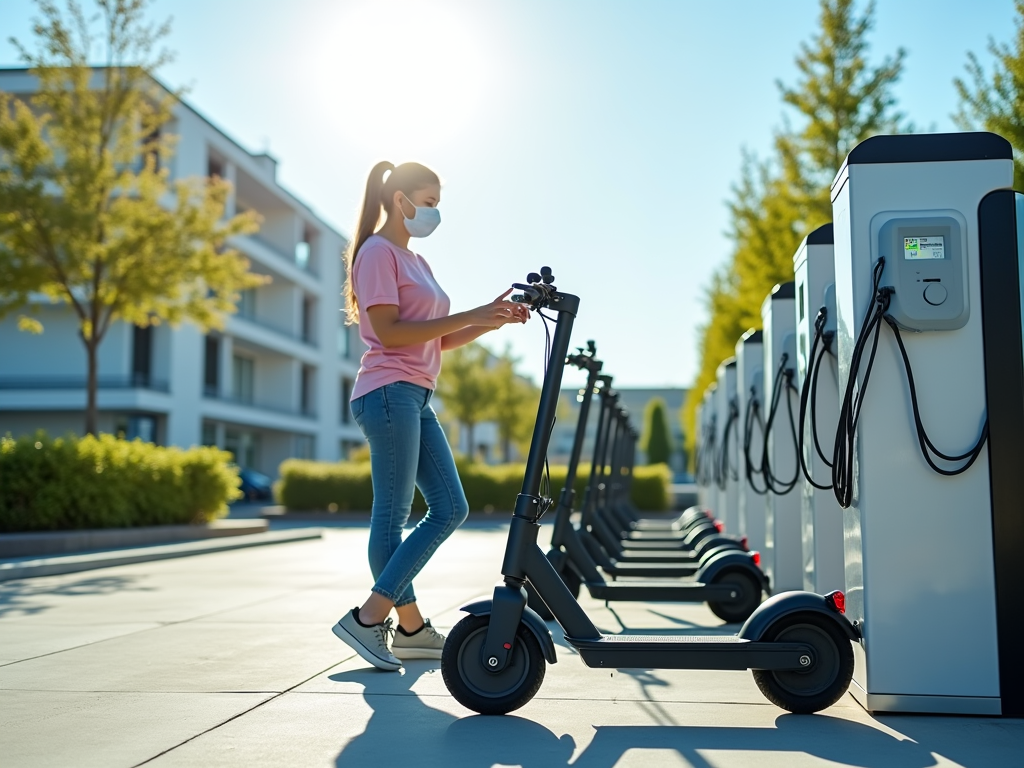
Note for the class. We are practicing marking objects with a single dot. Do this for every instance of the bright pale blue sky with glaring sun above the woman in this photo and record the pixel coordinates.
(601, 139)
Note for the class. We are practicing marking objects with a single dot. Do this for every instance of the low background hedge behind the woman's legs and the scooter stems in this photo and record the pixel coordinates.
(347, 486)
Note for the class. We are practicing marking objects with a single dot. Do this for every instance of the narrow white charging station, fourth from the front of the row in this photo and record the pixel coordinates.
(750, 385)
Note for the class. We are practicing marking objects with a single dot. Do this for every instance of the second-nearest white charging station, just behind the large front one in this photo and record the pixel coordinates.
(822, 518)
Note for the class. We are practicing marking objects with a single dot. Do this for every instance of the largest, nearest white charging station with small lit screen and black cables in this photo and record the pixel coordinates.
(933, 546)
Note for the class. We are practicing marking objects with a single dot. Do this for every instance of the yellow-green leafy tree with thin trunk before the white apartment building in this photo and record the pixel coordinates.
(89, 215)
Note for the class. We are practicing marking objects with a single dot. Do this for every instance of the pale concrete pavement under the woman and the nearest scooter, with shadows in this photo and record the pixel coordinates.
(228, 660)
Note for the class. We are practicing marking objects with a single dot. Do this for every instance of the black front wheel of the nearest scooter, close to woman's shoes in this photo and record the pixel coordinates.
(488, 693)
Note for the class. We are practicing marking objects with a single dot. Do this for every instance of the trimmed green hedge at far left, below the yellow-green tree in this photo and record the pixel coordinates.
(103, 483)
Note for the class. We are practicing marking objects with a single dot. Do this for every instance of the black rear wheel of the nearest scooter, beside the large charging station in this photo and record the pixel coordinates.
(825, 682)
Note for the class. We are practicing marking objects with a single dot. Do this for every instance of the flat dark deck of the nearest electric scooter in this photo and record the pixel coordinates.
(691, 653)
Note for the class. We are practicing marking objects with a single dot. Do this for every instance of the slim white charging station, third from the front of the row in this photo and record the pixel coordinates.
(784, 549)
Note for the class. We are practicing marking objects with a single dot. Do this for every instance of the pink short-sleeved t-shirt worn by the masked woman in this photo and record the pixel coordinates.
(386, 274)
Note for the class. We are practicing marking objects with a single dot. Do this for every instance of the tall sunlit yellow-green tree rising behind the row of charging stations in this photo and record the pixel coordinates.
(839, 101)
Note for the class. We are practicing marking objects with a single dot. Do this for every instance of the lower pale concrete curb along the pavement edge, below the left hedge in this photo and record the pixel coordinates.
(28, 568)
